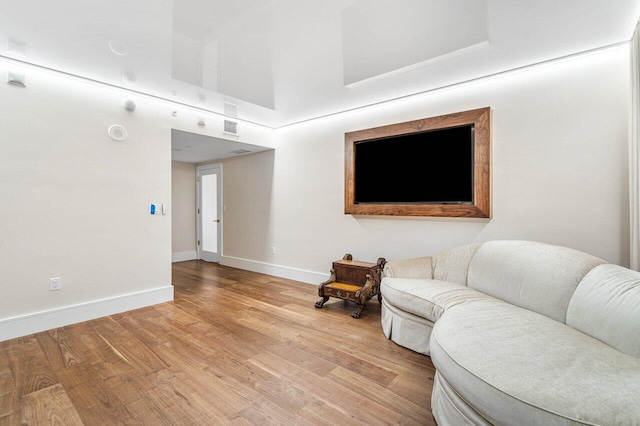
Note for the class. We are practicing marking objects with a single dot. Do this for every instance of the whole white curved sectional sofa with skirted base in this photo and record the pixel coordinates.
(520, 333)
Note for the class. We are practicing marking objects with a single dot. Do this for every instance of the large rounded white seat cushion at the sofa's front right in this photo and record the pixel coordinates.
(514, 366)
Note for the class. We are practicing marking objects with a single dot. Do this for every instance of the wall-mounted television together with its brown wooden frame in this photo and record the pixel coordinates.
(438, 166)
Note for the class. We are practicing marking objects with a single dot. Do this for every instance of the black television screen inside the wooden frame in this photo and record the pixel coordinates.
(431, 167)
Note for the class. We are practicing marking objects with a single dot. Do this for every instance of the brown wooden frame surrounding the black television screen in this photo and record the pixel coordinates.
(480, 207)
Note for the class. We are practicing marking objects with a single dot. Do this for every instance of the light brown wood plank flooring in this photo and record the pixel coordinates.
(234, 347)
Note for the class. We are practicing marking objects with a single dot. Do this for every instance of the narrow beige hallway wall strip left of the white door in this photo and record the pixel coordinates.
(183, 205)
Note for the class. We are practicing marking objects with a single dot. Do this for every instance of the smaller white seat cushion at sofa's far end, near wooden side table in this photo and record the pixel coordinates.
(426, 298)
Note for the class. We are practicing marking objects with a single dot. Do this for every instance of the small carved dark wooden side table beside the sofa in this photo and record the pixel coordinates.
(352, 280)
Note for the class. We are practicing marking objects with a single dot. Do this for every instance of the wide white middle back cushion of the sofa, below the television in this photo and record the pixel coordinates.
(535, 276)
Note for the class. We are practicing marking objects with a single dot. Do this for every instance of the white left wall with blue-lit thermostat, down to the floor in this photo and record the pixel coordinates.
(75, 204)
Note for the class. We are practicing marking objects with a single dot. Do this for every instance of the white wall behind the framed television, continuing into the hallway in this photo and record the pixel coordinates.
(560, 172)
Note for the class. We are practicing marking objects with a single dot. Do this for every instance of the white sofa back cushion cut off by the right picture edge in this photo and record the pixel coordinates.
(606, 305)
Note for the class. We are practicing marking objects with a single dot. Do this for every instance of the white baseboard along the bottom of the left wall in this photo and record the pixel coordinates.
(23, 325)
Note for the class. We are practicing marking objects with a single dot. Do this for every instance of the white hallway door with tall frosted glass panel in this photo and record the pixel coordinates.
(209, 200)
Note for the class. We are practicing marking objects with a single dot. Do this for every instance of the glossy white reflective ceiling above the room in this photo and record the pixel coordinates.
(285, 61)
